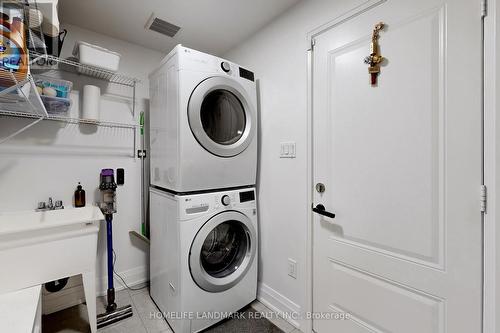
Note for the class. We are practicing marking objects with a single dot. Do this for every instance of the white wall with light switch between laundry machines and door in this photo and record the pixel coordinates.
(278, 56)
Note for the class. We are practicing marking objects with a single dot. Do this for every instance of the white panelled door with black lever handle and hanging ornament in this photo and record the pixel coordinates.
(401, 168)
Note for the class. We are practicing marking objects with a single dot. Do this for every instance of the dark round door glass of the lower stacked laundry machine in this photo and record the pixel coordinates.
(224, 249)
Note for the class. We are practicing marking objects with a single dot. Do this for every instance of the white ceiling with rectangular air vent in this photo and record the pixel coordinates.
(213, 26)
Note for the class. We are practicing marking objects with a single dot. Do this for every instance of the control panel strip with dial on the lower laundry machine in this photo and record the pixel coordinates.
(197, 204)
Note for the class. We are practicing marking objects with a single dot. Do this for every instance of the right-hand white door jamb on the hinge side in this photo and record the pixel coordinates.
(491, 292)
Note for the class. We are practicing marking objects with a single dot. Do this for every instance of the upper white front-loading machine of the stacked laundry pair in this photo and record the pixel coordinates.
(203, 123)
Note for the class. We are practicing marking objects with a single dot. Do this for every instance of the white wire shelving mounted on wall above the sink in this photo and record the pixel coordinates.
(19, 97)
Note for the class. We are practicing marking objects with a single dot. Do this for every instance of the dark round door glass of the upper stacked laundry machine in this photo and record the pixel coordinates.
(223, 117)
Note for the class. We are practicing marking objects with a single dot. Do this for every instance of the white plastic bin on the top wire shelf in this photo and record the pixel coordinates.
(93, 55)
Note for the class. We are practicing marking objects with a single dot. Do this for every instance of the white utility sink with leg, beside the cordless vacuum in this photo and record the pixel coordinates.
(38, 247)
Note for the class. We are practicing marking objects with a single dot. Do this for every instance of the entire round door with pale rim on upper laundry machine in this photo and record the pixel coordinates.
(221, 116)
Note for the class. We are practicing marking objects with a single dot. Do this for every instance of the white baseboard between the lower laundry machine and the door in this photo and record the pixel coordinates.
(278, 303)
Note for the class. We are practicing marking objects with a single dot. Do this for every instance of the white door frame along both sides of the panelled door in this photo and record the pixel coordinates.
(491, 237)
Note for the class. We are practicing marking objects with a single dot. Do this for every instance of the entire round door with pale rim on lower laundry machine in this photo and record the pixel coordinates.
(222, 251)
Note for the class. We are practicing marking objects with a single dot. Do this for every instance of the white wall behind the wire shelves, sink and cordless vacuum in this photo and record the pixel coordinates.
(51, 157)
